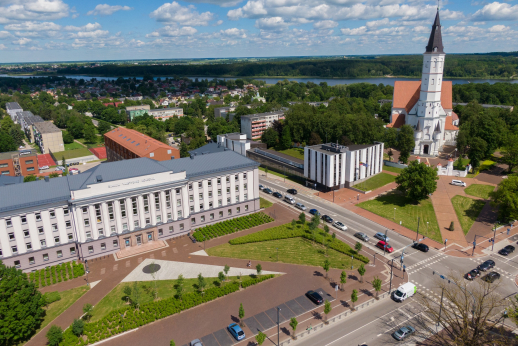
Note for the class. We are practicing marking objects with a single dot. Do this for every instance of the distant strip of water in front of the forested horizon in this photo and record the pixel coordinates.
(329, 81)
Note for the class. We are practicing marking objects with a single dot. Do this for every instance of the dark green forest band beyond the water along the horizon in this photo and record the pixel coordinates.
(493, 65)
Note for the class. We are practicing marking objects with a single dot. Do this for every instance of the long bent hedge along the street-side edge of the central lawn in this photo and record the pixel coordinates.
(288, 231)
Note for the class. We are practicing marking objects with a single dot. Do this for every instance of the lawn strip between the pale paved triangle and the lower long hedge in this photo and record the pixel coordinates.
(166, 289)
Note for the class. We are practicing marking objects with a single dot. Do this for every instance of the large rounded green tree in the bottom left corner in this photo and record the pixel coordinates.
(21, 306)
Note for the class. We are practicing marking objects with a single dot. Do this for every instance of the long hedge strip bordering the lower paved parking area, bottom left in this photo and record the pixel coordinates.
(113, 324)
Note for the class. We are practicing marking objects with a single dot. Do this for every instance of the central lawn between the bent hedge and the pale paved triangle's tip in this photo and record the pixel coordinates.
(292, 250)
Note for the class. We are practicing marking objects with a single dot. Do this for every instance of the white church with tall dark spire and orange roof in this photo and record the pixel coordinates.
(426, 105)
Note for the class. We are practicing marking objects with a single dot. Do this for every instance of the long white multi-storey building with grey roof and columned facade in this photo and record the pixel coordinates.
(122, 204)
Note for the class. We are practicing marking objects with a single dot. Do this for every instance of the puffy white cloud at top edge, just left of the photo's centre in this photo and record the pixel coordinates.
(175, 13)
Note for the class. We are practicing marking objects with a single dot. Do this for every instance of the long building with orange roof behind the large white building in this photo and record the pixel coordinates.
(124, 144)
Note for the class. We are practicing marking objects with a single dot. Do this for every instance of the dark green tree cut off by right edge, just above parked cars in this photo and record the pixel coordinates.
(506, 198)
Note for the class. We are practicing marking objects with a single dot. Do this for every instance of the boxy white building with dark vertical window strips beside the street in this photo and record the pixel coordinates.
(334, 166)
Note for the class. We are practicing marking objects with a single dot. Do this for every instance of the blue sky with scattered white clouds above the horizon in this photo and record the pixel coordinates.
(72, 30)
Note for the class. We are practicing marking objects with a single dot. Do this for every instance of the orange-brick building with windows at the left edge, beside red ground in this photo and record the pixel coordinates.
(19, 163)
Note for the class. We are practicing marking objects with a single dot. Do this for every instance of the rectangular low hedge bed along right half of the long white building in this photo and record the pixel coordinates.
(231, 226)
